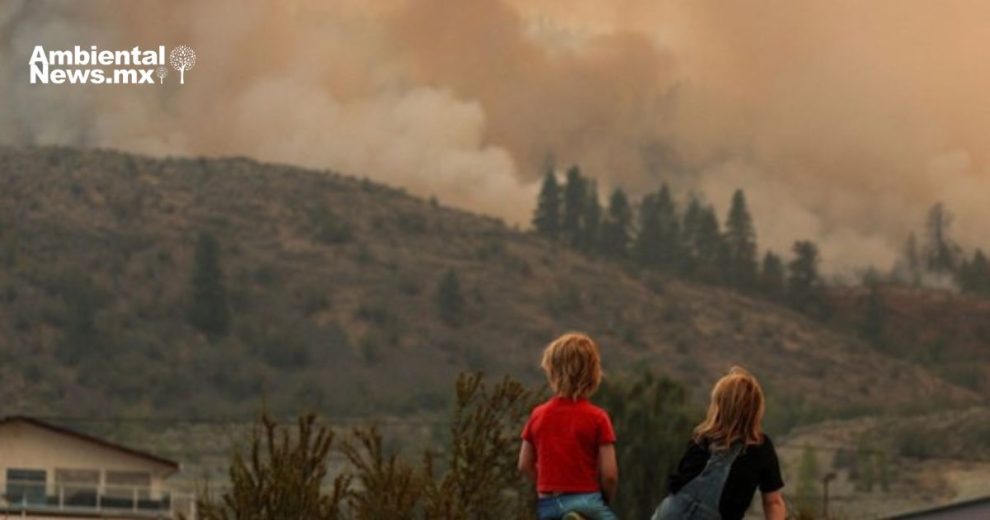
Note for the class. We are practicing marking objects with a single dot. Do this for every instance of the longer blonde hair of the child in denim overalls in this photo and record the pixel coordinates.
(735, 411)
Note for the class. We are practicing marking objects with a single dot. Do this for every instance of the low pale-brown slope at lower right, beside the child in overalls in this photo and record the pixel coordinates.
(895, 464)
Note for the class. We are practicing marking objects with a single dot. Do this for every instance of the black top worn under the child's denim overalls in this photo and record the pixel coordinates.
(756, 466)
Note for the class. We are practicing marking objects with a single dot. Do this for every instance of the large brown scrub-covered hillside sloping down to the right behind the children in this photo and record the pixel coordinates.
(332, 284)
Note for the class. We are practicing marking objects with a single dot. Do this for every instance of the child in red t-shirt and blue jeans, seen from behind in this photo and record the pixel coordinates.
(568, 444)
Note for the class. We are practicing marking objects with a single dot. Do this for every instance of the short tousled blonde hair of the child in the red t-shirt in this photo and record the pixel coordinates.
(573, 365)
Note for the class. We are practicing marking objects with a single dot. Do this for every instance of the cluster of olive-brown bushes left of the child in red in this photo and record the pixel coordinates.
(281, 474)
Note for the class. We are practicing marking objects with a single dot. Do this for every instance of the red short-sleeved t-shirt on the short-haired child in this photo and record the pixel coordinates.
(566, 435)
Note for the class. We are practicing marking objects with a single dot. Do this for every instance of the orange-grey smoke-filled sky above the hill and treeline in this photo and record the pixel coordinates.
(843, 121)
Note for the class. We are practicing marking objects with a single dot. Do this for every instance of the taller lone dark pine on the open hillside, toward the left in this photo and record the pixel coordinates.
(208, 309)
